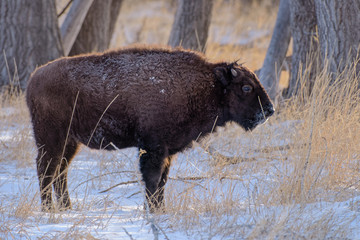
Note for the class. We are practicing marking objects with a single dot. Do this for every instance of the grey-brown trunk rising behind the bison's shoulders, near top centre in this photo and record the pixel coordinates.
(191, 24)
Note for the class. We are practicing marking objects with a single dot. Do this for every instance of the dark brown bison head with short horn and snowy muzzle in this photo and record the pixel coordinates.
(244, 99)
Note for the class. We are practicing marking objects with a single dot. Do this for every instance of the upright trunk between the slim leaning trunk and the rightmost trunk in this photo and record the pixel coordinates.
(303, 28)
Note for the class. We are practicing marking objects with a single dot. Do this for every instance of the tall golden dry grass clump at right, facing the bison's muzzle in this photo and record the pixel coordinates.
(329, 134)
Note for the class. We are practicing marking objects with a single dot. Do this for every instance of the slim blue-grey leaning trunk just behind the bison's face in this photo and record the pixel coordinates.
(276, 52)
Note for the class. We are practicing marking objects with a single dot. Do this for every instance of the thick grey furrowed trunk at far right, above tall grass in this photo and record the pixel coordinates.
(339, 32)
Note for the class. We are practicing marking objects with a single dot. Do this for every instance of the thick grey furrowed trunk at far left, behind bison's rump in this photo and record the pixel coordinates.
(29, 37)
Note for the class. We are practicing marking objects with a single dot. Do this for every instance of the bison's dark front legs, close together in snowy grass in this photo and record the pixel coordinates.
(153, 167)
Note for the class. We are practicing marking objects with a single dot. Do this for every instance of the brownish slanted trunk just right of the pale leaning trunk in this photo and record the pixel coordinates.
(98, 27)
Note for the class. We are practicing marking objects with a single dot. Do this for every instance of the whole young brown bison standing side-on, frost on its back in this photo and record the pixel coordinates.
(158, 100)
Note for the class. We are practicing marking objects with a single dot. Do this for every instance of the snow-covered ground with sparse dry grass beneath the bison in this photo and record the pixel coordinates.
(118, 213)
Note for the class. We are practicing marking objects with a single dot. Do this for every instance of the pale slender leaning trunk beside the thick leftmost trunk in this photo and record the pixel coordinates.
(73, 23)
